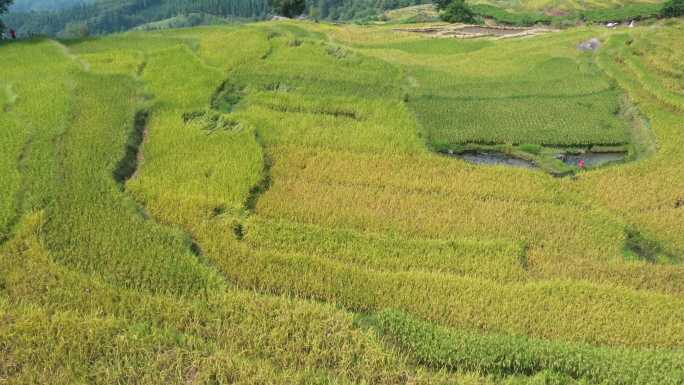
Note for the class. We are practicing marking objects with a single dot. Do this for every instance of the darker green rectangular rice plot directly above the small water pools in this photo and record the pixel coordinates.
(574, 121)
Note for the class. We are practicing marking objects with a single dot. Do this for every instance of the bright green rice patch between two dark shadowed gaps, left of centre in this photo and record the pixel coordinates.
(203, 156)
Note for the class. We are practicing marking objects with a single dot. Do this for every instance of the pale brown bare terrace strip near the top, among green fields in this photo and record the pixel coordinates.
(467, 31)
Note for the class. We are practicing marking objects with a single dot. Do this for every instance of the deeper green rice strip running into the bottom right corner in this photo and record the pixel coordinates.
(440, 347)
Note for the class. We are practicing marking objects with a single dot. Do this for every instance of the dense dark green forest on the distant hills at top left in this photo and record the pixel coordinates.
(106, 16)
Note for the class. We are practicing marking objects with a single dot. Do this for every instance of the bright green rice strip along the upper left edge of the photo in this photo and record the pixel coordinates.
(29, 122)
